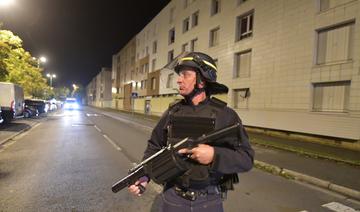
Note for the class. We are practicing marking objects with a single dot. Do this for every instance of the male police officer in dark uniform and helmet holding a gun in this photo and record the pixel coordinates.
(213, 168)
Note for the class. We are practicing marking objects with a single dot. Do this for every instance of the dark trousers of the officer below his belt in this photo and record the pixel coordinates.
(208, 200)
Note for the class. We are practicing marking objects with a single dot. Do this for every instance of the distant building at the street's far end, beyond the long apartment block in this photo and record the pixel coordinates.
(98, 91)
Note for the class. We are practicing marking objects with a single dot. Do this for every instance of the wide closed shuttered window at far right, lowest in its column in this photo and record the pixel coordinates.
(332, 96)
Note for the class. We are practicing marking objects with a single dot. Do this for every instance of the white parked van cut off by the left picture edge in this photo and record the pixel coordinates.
(11, 100)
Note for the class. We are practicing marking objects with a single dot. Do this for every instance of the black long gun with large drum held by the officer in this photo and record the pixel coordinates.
(167, 164)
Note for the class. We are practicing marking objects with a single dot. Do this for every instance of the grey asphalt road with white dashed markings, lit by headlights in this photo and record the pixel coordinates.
(69, 161)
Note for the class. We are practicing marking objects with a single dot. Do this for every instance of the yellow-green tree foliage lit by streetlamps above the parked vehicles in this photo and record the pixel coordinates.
(17, 66)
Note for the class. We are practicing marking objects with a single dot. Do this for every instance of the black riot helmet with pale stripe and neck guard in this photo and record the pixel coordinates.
(206, 67)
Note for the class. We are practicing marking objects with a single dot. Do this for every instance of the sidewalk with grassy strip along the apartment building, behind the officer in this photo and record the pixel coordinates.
(325, 166)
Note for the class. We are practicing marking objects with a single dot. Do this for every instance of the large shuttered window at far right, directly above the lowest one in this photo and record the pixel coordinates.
(335, 44)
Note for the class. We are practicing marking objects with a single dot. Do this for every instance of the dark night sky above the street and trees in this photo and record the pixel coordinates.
(77, 36)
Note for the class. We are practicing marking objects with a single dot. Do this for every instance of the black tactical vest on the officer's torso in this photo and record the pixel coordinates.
(185, 122)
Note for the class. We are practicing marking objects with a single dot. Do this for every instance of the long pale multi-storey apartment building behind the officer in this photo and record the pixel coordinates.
(289, 65)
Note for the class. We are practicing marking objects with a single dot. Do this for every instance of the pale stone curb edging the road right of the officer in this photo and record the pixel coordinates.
(307, 179)
